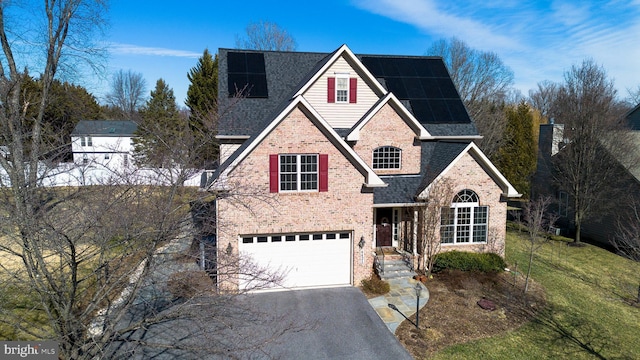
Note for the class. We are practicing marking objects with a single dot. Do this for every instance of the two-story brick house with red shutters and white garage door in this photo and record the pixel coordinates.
(327, 156)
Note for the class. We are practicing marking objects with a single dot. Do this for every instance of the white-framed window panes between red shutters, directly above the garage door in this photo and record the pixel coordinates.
(299, 172)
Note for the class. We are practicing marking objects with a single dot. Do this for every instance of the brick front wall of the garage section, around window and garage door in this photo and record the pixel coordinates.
(344, 207)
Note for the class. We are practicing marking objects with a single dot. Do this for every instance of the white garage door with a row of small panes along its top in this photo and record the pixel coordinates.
(306, 260)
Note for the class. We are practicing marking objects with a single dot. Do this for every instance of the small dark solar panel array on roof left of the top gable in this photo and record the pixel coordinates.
(246, 75)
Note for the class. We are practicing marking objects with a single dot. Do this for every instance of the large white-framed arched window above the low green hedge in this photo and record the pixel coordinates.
(465, 221)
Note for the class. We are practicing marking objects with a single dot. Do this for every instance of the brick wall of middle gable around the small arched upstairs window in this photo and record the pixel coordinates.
(387, 128)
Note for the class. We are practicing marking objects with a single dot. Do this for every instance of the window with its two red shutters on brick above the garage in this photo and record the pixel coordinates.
(298, 172)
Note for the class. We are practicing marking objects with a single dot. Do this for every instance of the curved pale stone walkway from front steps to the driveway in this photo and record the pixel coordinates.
(403, 295)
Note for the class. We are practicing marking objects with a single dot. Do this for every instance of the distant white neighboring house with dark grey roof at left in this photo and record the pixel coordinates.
(103, 143)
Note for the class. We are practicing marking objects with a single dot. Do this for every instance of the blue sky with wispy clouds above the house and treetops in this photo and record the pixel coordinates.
(538, 40)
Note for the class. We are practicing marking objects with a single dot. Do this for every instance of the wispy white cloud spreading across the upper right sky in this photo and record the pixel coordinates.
(539, 41)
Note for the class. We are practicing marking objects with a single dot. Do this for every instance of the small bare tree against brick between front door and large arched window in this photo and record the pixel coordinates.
(433, 208)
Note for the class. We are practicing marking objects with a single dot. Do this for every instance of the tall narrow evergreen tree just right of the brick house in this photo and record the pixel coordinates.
(516, 158)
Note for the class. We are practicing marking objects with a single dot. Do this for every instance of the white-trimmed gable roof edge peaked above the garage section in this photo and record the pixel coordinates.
(371, 179)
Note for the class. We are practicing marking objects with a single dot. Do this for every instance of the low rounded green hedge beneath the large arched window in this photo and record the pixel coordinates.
(468, 261)
